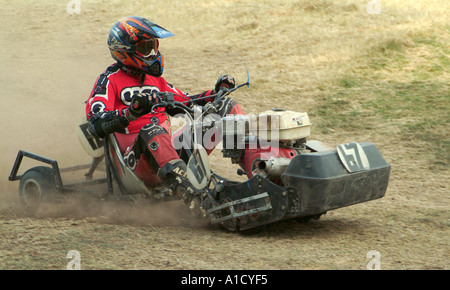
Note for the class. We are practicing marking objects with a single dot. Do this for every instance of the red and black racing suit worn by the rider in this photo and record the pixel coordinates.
(146, 141)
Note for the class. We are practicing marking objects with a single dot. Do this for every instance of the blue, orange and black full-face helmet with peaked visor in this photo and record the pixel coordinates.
(133, 42)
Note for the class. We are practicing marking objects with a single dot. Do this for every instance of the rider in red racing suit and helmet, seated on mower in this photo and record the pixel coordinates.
(121, 101)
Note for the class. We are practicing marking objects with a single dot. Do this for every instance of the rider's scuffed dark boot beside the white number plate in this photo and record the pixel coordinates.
(175, 178)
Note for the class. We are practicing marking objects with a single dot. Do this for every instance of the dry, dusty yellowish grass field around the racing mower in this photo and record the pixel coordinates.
(381, 78)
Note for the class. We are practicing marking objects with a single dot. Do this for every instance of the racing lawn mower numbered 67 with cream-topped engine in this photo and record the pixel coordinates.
(287, 175)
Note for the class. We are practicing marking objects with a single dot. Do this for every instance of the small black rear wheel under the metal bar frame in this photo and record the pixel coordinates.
(37, 185)
